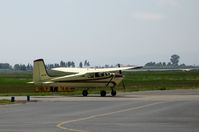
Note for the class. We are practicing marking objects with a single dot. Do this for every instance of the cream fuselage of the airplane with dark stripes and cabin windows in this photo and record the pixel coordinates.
(86, 81)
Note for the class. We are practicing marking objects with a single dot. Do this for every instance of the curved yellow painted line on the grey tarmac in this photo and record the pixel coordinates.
(60, 125)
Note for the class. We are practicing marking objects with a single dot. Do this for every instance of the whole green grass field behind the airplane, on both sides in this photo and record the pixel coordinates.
(16, 83)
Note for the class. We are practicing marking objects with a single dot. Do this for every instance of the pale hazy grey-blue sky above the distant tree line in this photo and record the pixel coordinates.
(102, 31)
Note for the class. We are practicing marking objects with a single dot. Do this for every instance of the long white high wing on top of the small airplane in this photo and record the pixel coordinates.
(92, 70)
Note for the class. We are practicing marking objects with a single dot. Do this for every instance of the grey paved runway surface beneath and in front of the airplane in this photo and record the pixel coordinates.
(153, 111)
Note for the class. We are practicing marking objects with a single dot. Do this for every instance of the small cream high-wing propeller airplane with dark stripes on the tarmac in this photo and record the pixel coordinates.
(85, 78)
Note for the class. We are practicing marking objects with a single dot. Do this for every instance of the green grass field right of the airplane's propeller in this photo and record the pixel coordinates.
(161, 80)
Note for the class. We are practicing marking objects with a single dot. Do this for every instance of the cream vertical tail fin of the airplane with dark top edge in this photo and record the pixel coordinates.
(39, 71)
